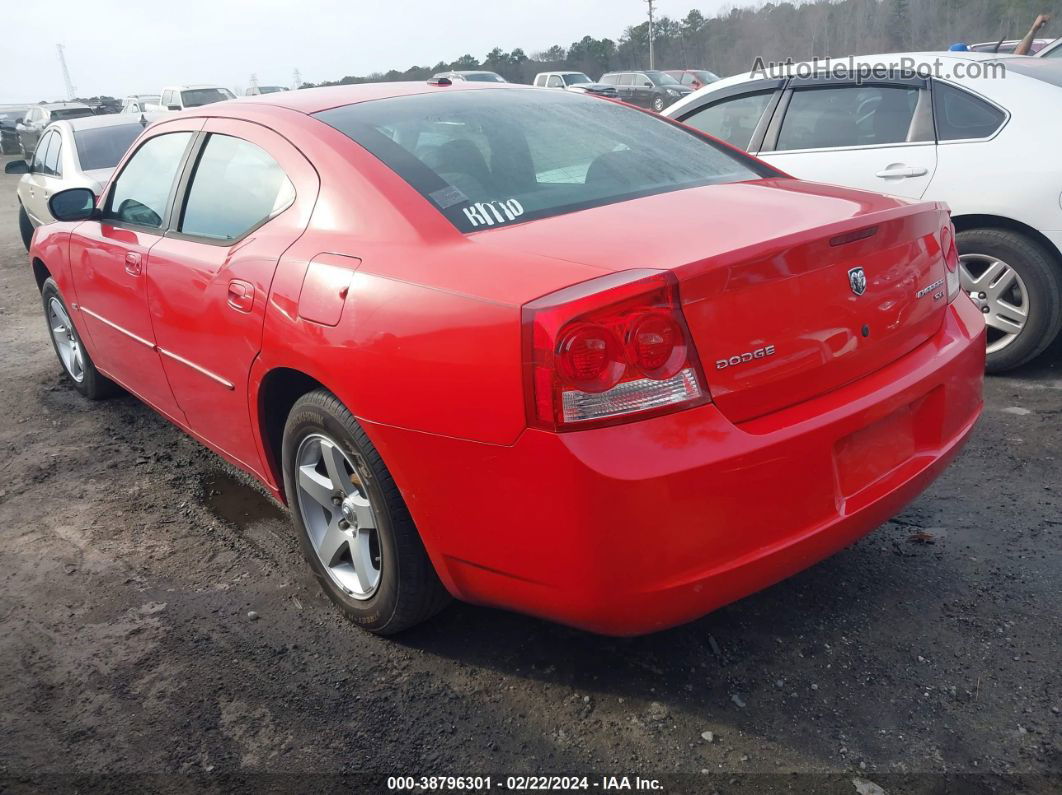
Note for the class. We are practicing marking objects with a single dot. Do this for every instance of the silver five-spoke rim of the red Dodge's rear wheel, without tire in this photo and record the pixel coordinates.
(338, 514)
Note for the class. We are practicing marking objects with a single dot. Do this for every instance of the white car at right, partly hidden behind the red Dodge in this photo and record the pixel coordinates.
(985, 145)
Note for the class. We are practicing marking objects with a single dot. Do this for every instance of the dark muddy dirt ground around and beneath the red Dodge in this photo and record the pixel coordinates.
(130, 559)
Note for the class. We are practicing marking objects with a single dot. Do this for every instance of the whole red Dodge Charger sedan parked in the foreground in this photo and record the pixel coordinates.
(522, 348)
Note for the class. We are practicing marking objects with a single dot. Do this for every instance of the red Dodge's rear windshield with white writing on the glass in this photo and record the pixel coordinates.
(492, 159)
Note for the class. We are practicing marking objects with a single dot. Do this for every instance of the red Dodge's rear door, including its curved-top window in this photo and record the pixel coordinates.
(248, 199)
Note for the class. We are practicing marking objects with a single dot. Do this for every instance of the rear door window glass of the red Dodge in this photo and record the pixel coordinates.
(236, 187)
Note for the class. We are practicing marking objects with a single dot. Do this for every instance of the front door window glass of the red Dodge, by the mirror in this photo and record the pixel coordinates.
(143, 191)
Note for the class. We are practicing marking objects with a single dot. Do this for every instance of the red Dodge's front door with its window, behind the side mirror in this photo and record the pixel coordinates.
(109, 258)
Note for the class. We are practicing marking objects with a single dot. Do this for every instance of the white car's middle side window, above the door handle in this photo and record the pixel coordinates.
(853, 116)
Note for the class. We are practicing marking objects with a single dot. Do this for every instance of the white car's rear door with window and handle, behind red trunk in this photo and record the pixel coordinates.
(875, 136)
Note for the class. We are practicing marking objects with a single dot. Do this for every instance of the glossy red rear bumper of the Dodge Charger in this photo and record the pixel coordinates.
(637, 528)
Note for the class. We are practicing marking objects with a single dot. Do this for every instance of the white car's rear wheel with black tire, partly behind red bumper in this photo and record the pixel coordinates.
(1036, 290)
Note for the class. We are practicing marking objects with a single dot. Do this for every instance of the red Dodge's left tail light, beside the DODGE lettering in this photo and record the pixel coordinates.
(609, 351)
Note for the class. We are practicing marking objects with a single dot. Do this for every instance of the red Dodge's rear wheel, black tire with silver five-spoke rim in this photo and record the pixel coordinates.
(354, 528)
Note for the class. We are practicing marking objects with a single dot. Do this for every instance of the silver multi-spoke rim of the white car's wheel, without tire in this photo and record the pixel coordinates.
(1002, 292)
